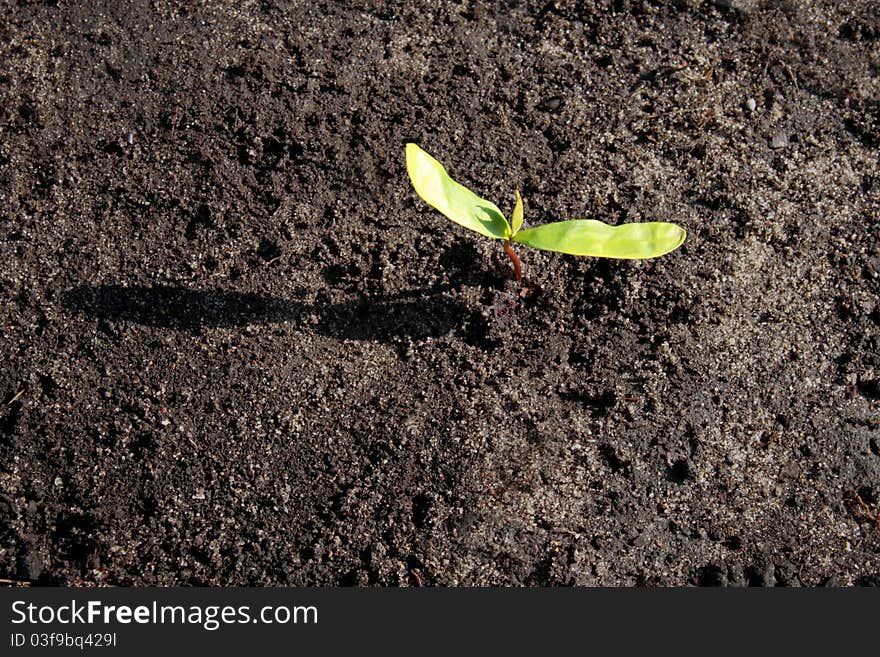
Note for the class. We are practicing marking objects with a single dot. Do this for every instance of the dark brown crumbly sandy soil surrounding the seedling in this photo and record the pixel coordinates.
(236, 348)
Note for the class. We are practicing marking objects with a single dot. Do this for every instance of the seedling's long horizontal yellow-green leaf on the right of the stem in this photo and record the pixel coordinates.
(593, 238)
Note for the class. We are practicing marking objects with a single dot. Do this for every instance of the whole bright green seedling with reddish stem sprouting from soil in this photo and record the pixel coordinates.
(583, 237)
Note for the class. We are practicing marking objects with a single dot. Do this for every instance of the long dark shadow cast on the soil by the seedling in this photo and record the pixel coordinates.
(418, 314)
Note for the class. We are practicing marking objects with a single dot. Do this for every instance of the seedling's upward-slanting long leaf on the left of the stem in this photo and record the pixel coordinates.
(454, 200)
